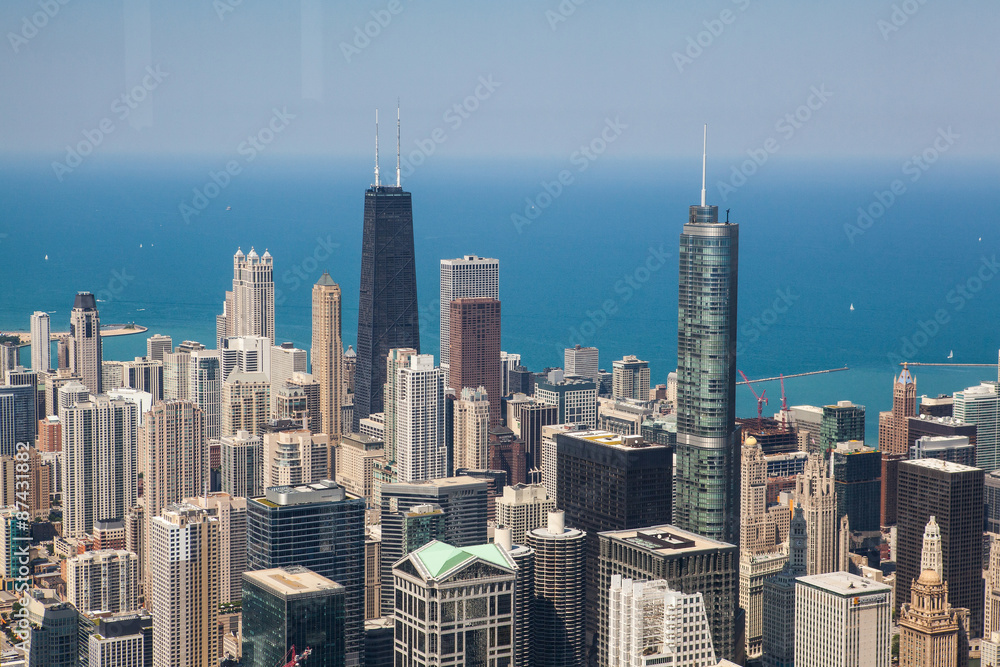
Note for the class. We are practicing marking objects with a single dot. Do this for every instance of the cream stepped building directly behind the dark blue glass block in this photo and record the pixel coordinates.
(295, 457)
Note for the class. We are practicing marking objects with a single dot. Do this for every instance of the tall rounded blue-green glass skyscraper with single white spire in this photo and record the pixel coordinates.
(708, 445)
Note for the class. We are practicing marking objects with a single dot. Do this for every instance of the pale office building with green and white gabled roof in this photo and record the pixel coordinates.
(480, 579)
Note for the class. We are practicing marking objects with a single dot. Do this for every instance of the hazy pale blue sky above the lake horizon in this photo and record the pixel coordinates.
(563, 69)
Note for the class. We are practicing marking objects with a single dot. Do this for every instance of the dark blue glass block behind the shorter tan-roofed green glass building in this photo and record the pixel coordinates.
(319, 526)
